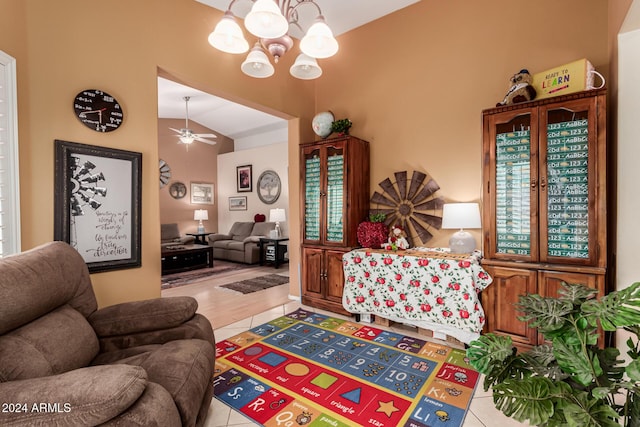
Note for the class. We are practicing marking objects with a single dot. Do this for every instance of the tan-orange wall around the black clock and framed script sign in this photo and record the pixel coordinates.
(65, 46)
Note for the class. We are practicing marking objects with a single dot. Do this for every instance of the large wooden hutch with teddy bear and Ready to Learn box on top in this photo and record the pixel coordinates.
(544, 203)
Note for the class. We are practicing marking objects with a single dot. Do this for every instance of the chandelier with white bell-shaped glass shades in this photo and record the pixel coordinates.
(271, 21)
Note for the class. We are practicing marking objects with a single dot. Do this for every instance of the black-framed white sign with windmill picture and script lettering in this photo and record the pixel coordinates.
(97, 204)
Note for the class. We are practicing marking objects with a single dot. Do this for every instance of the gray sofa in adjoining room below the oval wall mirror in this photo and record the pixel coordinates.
(241, 243)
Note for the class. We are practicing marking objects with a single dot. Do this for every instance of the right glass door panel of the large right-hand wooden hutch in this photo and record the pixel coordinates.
(568, 183)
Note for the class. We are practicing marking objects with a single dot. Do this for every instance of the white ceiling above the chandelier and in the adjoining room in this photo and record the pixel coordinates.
(237, 121)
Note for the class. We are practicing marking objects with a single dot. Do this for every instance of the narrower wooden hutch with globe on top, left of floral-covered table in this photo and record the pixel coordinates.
(335, 199)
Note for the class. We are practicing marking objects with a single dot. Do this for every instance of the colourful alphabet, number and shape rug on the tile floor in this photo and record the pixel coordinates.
(305, 368)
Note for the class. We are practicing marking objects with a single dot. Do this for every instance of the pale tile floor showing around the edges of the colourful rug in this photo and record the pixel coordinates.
(482, 413)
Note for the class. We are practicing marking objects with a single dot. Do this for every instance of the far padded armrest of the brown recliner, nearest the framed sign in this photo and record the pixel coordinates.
(142, 316)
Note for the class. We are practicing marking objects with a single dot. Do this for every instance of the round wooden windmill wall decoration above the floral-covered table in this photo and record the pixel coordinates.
(410, 203)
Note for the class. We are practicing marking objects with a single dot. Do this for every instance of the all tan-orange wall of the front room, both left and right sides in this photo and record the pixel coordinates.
(413, 83)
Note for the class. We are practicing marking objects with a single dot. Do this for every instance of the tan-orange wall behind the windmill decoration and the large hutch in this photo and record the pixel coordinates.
(421, 77)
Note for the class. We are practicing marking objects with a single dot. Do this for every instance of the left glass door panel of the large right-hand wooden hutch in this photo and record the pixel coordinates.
(513, 180)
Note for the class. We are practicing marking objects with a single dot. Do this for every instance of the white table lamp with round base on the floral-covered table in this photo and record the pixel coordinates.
(461, 215)
